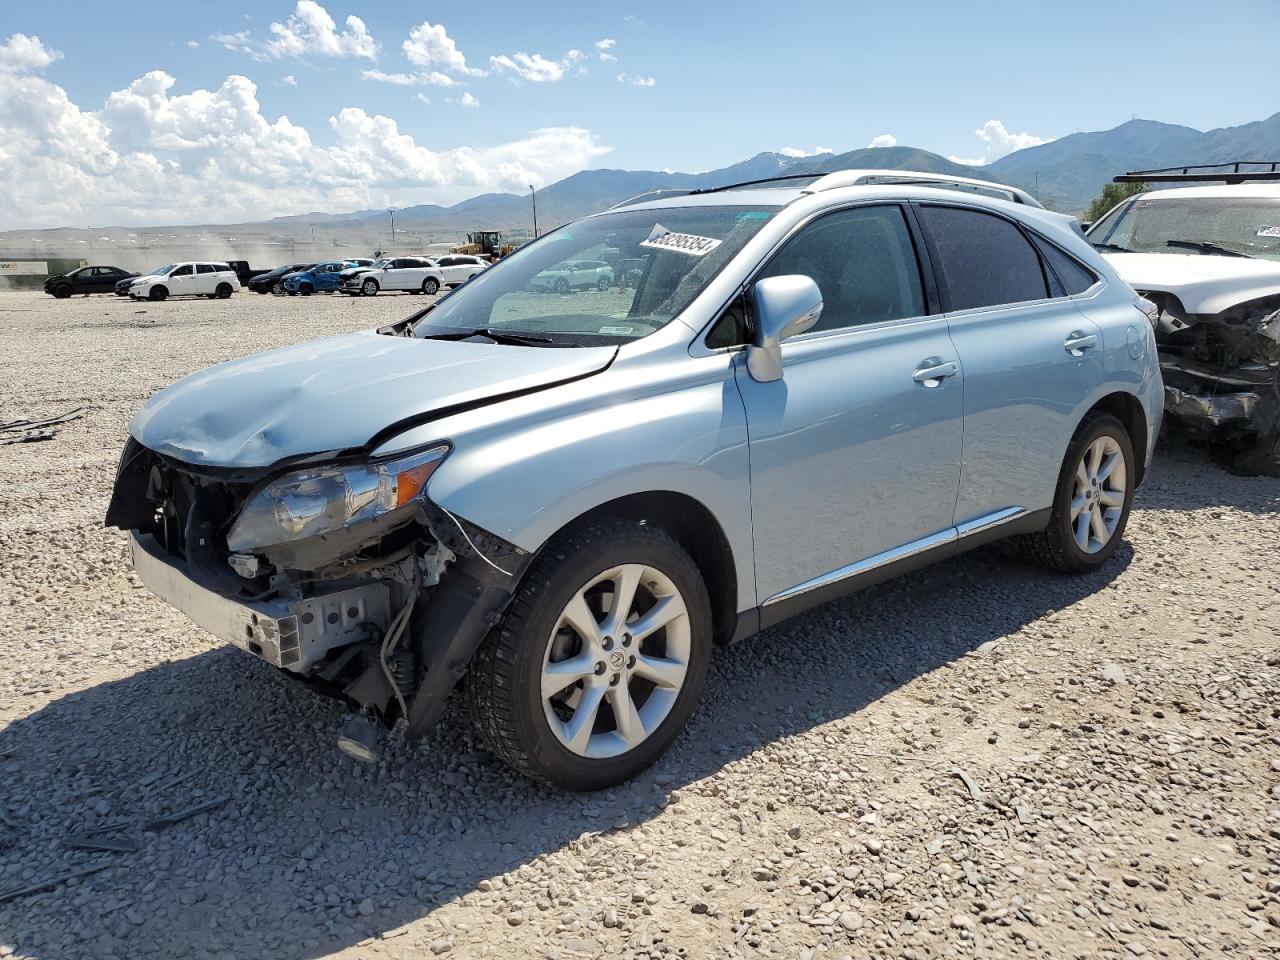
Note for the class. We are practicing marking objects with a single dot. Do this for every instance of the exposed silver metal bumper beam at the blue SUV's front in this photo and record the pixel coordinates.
(294, 636)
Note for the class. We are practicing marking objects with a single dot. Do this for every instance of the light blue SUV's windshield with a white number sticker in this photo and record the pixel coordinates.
(610, 278)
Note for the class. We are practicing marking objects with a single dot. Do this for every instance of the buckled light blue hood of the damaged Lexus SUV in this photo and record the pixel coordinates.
(337, 394)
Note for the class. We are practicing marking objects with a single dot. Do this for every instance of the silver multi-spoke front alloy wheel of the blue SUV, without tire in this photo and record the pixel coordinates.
(616, 661)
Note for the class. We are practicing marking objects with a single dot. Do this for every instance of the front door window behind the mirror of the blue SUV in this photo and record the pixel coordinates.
(863, 262)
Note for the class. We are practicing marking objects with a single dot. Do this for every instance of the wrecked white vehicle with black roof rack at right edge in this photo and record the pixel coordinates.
(1209, 258)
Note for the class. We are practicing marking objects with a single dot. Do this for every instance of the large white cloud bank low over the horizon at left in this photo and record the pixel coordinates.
(156, 154)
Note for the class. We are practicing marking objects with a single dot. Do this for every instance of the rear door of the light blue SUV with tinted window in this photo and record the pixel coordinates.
(1030, 358)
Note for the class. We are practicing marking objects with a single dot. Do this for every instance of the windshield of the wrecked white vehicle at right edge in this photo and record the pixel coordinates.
(1210, 226)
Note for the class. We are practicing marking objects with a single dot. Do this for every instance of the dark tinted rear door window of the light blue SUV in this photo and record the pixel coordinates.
(984, 259)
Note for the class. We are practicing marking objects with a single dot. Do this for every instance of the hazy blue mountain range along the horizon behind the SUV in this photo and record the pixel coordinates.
(1066, 175)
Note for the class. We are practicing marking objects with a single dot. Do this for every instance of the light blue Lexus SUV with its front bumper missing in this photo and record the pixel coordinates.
(566, 502)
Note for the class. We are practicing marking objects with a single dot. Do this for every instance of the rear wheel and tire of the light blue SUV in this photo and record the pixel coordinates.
(1092, 502)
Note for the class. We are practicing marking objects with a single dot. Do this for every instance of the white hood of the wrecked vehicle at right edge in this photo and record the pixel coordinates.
(1203, 284)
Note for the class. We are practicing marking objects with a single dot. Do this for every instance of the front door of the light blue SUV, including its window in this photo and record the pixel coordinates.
(856, 452)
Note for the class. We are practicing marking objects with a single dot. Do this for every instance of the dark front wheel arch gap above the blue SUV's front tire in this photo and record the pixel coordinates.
(696, 529)
